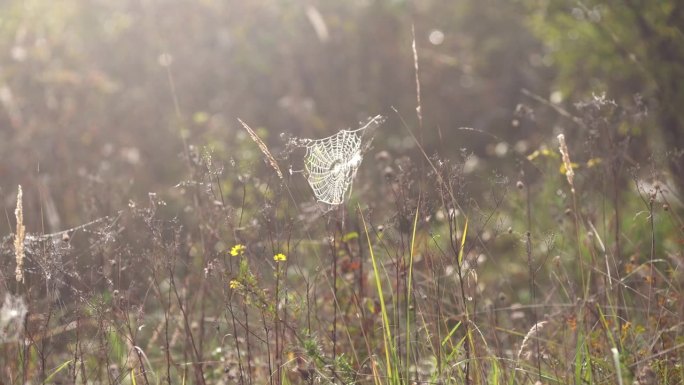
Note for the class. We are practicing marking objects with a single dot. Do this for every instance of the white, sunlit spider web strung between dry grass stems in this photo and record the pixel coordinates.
(331, 162)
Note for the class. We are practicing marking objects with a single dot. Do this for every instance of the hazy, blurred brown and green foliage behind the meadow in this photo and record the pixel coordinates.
(88, 119)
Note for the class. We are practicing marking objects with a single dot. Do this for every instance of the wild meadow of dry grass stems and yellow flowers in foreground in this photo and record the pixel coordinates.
(567, 271)
